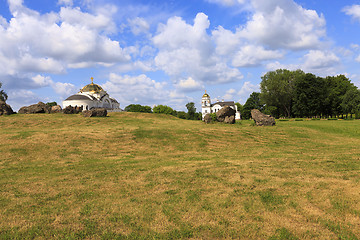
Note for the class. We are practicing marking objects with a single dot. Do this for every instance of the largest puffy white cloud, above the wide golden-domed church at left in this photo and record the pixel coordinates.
(35, 43)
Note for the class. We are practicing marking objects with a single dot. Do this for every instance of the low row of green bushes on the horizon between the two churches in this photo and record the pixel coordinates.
(191, 114)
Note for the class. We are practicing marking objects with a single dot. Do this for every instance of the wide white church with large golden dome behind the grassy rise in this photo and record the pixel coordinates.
(92, 96)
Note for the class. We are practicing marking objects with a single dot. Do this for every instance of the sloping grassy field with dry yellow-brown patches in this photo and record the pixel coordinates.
(148, 176)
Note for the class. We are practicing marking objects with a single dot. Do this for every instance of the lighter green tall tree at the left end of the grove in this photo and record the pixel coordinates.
(277, 90)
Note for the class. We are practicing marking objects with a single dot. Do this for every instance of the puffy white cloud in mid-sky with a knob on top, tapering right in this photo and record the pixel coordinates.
(187, 50)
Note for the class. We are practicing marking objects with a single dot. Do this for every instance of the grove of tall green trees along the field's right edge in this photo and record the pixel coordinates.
(286, 94)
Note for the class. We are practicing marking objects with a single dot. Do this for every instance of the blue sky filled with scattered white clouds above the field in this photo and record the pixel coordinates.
(169, 52)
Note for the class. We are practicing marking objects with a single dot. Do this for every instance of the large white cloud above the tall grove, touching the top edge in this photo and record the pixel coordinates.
(284, 24)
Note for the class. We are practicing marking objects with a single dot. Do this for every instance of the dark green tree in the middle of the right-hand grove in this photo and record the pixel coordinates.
(309, 95)
